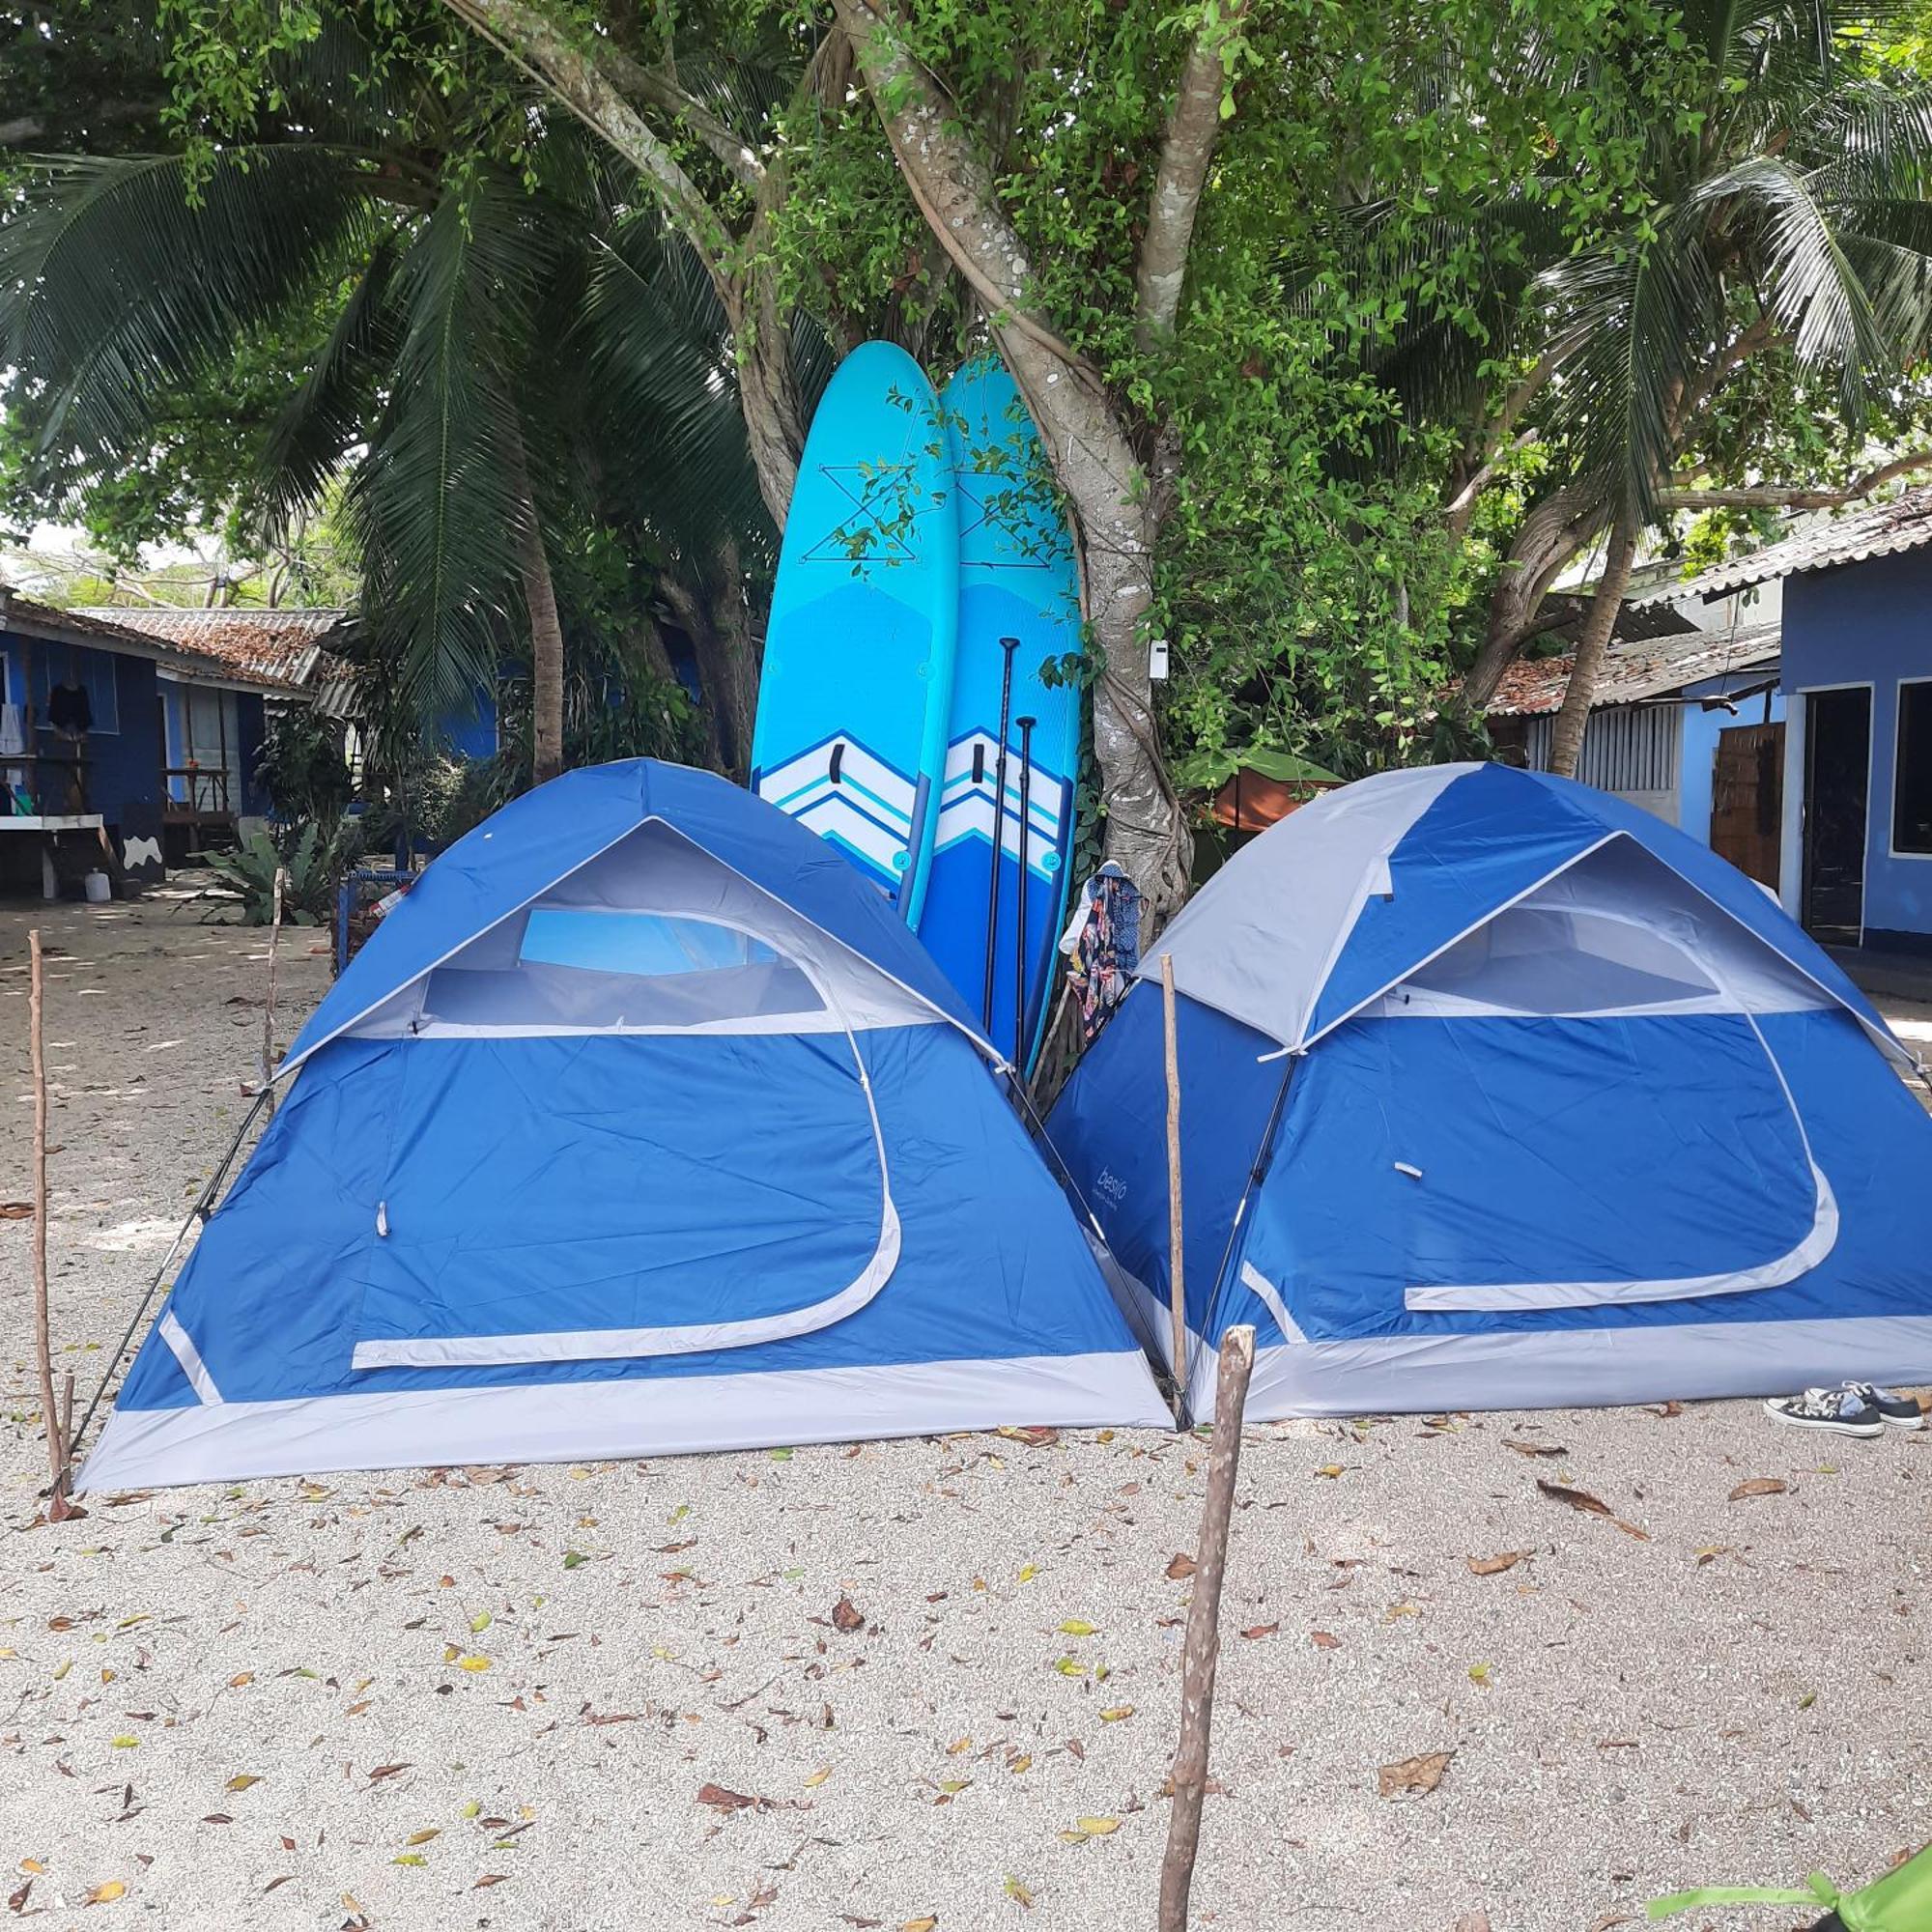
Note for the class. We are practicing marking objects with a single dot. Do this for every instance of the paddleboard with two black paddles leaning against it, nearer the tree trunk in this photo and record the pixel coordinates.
(1017, 582)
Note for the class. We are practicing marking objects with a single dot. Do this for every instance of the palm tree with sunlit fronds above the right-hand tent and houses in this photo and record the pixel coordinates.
(1786, 221)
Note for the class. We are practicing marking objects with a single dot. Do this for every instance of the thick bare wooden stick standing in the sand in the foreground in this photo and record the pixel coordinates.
(1205, 1632)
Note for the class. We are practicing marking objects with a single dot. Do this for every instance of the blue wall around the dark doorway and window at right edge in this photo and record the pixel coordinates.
(1871, 623)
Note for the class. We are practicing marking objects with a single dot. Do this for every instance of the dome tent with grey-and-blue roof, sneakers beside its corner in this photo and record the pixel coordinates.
(1500, 1093)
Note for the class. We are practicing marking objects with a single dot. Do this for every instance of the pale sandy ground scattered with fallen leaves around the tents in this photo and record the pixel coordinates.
(499, 1697)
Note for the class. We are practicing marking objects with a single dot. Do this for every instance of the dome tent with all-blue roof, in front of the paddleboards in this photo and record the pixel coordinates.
(640, 1125)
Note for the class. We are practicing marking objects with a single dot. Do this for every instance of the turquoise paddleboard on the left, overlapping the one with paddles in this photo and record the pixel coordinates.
(859, 656)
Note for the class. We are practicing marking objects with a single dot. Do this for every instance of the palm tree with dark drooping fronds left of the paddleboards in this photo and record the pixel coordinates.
(499, 347)
